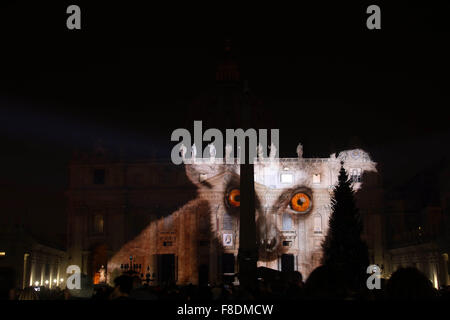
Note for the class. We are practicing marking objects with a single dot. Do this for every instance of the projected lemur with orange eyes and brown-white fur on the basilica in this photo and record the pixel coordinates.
(292, 213)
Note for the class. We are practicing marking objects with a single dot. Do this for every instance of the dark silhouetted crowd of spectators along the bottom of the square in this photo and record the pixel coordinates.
(322, 283)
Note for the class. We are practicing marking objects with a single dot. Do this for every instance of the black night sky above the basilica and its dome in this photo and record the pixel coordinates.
(131, 75)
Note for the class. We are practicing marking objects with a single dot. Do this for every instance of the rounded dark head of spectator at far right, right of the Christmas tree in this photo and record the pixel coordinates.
(409, 283)
